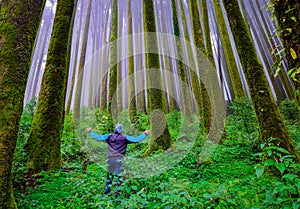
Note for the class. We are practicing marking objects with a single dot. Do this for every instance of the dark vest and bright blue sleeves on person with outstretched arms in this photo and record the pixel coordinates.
(117, 143)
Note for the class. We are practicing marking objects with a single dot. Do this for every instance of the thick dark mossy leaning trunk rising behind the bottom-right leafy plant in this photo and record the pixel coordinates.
(266, 110)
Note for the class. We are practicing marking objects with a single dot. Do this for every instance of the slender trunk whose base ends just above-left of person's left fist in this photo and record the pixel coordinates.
(79, 83)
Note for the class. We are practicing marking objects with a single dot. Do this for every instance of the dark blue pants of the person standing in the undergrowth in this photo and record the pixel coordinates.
(115, 169)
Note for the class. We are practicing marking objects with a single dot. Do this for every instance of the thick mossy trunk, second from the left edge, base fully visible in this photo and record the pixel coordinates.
(43, 145)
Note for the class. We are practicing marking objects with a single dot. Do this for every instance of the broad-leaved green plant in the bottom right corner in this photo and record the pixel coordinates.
(285, 191)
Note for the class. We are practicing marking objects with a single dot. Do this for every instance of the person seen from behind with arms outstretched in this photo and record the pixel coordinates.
(116, 147)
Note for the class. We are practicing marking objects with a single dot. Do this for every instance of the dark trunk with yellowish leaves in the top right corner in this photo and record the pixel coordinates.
(288, 19)
